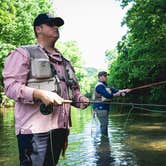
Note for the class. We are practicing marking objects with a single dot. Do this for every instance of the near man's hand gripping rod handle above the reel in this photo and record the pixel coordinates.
(47, 97)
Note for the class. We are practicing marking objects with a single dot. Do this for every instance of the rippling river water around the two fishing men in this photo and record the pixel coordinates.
(135, 139)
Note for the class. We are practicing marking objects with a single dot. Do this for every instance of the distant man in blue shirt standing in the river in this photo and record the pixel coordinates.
(104, 93)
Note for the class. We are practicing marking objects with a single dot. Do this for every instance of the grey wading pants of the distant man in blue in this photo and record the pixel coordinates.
(102, 115)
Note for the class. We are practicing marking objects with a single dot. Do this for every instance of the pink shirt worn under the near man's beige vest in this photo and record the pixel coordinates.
(28, 118)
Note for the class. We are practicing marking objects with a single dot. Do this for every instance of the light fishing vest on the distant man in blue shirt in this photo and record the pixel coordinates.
(97, 96)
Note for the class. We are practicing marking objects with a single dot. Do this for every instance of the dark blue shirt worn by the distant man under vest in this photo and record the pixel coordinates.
(101, 89)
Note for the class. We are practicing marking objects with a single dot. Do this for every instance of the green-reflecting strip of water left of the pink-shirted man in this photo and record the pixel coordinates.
(8, 143)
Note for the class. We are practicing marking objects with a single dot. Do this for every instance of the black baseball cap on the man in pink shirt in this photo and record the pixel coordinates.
(46, 18)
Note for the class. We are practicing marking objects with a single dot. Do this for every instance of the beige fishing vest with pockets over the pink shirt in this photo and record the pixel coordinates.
(44, 76)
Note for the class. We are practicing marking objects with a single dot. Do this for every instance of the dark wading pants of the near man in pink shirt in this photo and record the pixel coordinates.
(41, 149)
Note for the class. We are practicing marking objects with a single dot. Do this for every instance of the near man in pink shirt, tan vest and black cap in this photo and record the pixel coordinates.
(37, 77)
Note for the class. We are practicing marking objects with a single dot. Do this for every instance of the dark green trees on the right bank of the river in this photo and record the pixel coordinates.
(141, 53)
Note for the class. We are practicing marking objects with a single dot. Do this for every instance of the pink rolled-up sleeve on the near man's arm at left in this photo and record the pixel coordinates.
(15, 74)
